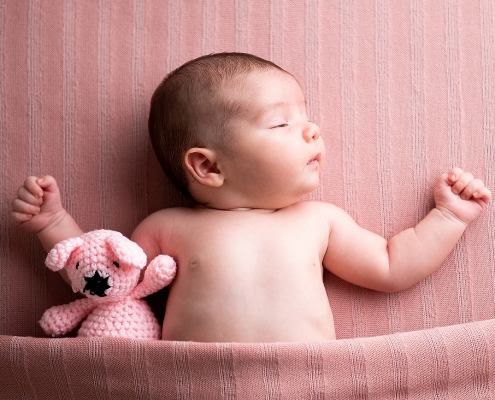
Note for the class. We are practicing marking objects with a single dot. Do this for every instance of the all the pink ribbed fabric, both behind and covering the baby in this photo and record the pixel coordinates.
(402, 91)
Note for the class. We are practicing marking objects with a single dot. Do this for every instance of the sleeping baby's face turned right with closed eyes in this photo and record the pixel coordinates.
(276, 153)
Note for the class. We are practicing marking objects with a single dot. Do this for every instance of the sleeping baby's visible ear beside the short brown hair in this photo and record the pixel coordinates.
(203, 166)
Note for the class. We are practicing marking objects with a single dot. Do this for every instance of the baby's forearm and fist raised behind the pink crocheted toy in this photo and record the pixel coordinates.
(38, 209)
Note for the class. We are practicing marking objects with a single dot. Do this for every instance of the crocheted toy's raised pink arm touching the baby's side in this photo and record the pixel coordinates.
(159, 273)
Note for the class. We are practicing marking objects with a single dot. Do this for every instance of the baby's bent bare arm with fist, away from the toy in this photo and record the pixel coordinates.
(366, 259)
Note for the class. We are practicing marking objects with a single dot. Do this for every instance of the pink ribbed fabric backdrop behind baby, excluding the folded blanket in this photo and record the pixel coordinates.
(402, 91)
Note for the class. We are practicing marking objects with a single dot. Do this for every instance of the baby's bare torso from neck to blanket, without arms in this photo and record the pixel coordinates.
(248, 276)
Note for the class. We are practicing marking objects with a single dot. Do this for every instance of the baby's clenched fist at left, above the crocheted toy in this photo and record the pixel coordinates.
(37, 204)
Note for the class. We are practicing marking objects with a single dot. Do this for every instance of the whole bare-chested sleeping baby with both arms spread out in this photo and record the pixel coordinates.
(231, 131)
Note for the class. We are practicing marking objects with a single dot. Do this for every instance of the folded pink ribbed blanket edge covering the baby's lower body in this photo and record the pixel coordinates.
(448, 362)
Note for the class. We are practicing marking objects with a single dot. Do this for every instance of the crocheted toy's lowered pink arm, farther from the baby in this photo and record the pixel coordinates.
(59, 320)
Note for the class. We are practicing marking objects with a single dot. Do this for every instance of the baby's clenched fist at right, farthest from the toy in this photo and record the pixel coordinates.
(460, 195)
